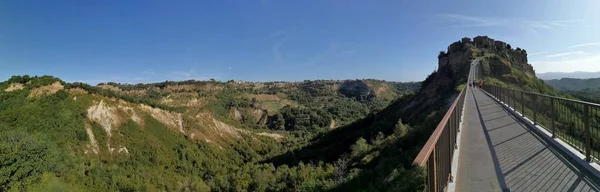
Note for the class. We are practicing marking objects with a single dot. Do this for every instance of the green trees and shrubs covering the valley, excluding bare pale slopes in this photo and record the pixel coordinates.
(43, 140)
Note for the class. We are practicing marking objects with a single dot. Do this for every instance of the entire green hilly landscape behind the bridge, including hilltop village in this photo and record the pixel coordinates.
(323, 135)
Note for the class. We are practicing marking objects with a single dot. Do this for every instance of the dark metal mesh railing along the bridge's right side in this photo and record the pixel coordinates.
(575, 122)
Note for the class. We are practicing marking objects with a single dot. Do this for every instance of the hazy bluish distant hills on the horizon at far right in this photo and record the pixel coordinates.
(568, 84)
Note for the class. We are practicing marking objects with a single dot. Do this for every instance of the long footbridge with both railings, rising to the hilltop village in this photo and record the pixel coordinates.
(500, 139)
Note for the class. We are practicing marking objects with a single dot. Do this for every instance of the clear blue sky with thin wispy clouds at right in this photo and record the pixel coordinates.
(281, 40)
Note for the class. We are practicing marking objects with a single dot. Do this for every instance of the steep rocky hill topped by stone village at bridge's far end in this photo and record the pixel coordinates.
(500, 59)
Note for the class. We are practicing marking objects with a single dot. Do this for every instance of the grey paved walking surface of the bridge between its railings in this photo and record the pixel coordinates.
(498, 153)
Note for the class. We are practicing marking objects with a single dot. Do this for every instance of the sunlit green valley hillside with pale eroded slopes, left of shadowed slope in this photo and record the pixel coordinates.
(59, 136)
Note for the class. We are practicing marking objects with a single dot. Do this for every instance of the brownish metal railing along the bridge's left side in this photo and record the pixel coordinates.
(436, 155)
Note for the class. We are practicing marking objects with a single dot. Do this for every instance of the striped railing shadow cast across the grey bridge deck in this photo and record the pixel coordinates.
(524, 161)
